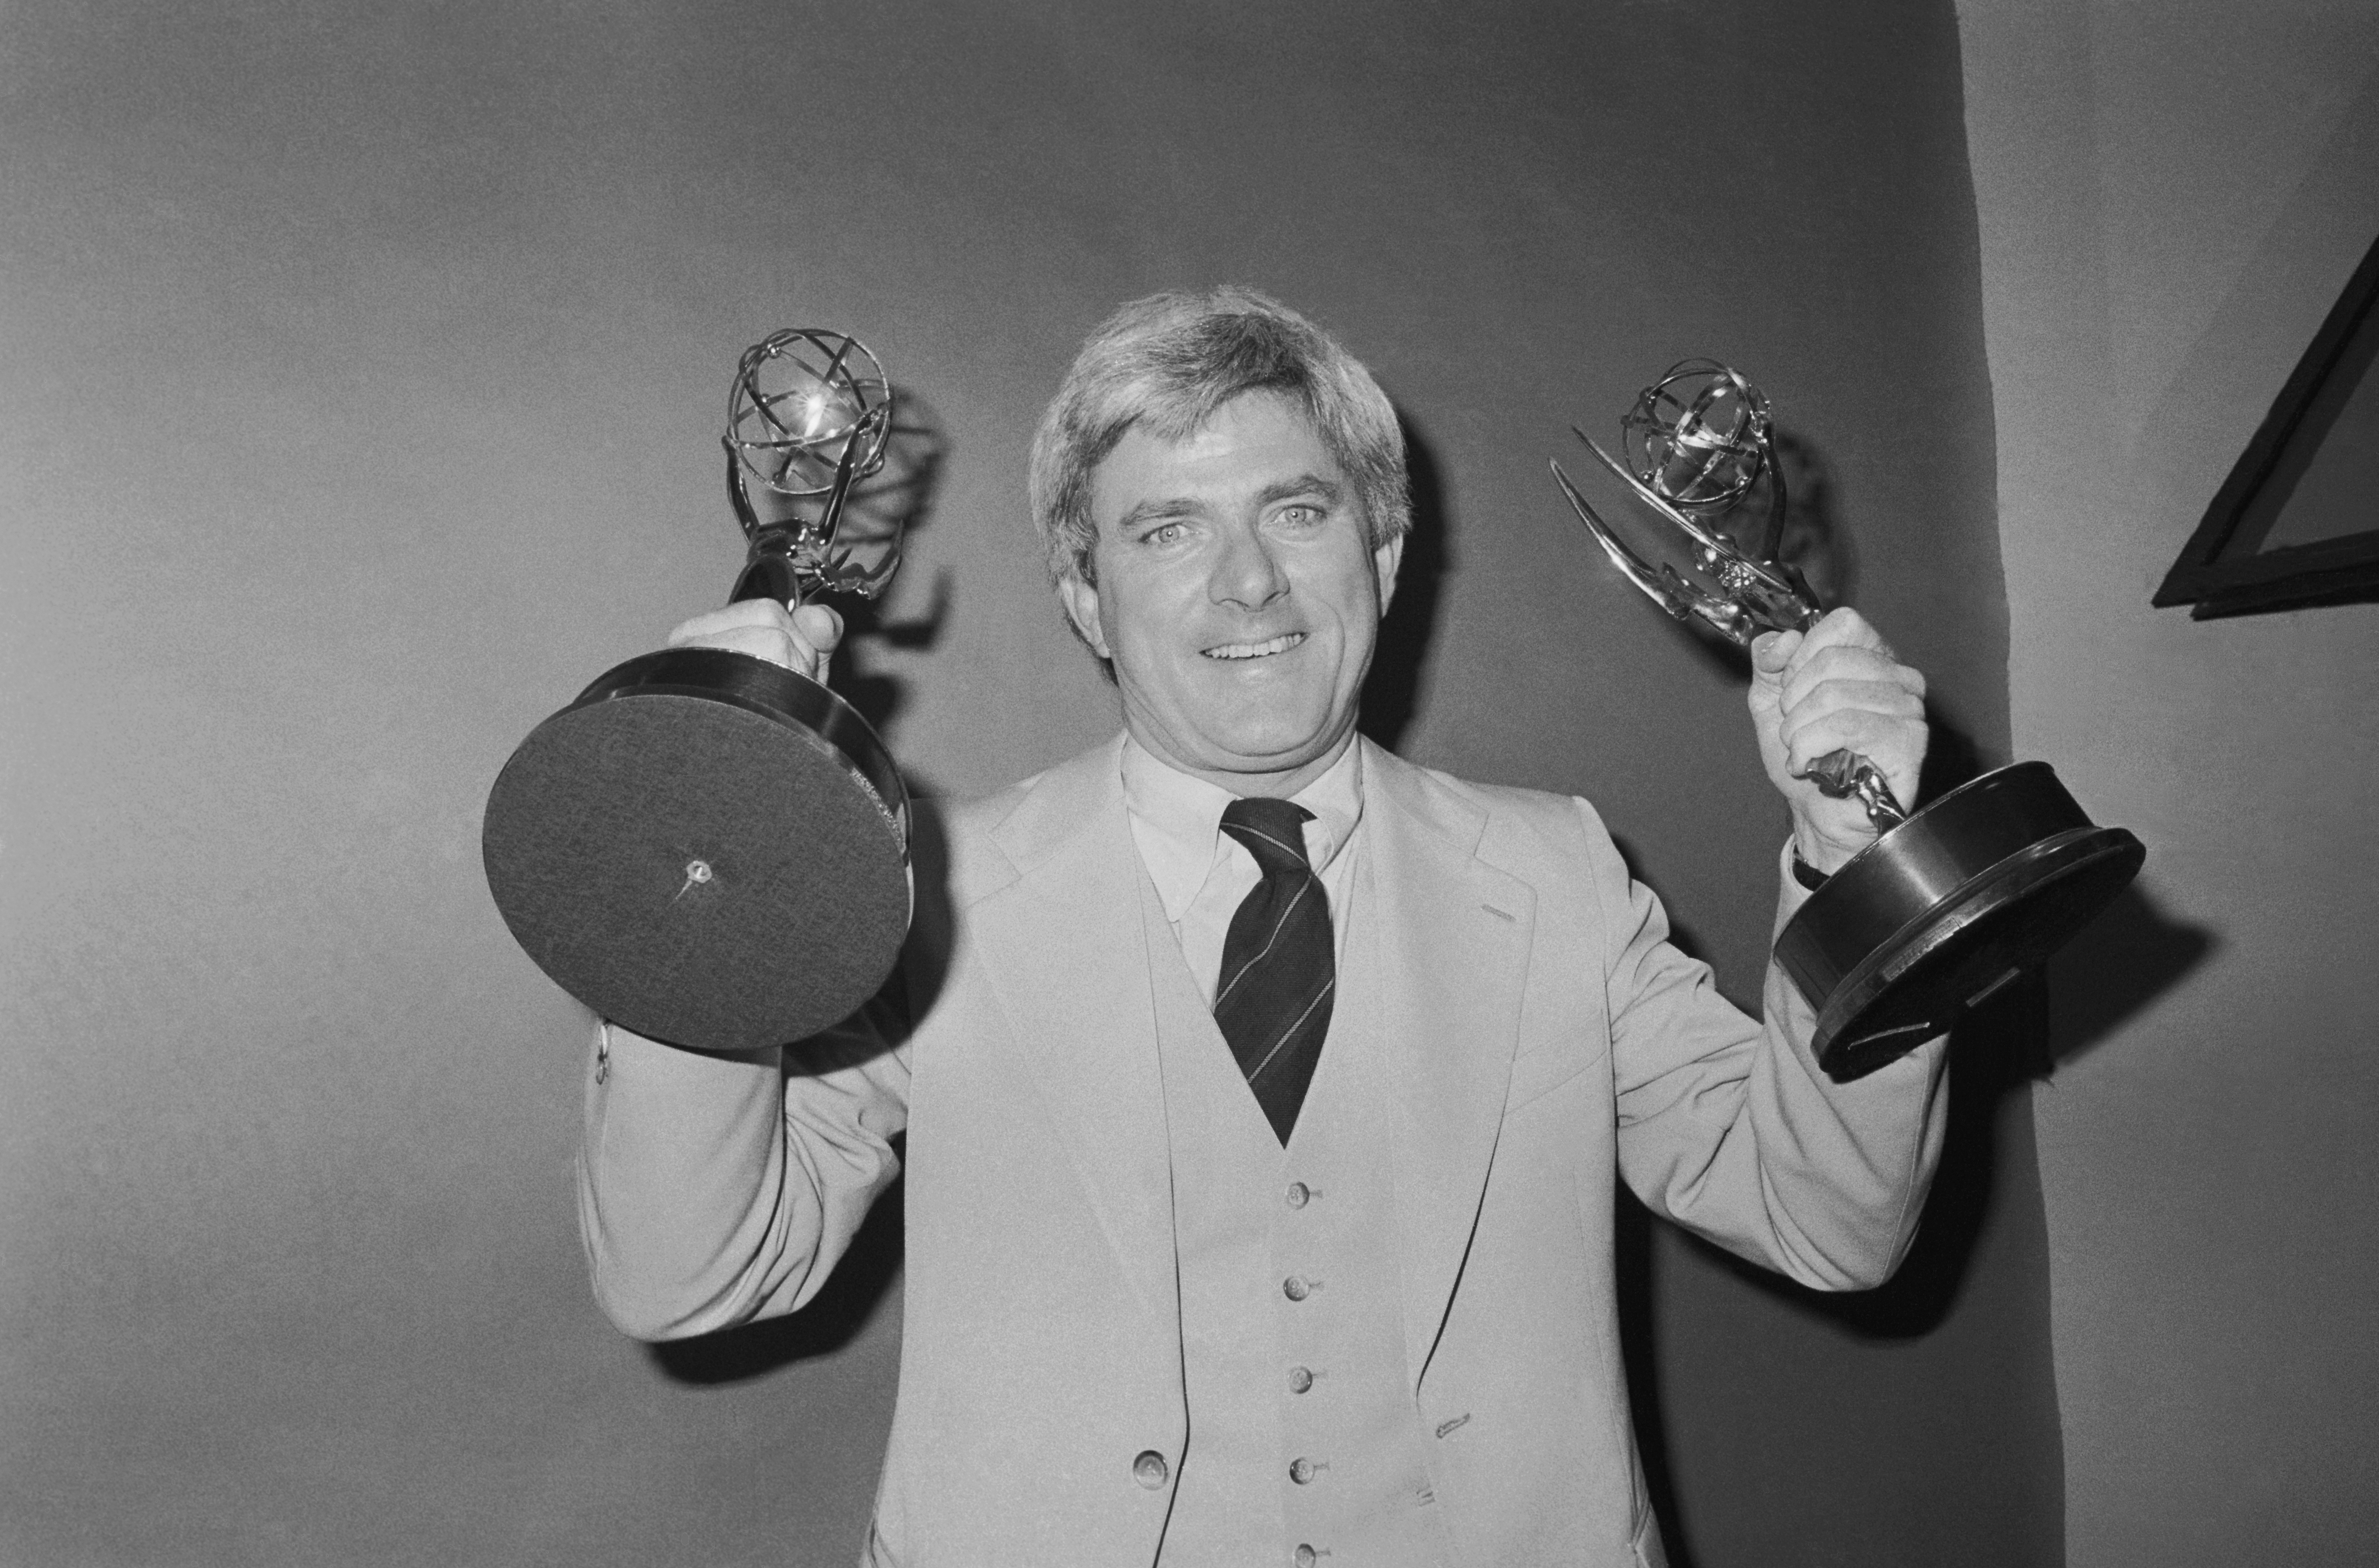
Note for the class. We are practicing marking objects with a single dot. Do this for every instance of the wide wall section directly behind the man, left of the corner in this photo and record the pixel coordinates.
(358, 403)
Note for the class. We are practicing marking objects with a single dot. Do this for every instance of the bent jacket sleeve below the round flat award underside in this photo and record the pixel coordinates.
(722, 1188)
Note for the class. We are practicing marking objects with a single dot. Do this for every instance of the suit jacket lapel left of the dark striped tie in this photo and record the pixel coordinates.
(1069, 960)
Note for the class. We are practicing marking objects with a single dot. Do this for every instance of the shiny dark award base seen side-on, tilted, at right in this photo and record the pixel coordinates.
(1945, 910)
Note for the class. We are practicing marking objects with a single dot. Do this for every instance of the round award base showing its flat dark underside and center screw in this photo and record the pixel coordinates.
(705, 848)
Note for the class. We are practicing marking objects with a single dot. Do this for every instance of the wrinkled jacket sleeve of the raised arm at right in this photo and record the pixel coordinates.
(1728, 1124)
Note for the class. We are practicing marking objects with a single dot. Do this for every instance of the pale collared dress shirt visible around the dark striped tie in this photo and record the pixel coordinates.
(1203, 874)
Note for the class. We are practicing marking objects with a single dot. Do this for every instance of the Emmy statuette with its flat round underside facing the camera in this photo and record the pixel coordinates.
(708, 848)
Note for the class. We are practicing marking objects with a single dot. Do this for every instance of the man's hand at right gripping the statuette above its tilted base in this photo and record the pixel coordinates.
(1833, 689)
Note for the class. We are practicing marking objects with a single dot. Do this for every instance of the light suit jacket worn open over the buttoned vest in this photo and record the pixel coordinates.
(1543, 1031)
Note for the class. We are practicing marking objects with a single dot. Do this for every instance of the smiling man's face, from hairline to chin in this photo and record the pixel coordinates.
(1238, 594)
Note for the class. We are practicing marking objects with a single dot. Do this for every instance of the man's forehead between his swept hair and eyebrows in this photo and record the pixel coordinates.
(1253, 444)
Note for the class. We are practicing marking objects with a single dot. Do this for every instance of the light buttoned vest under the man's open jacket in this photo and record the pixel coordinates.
(1303, 1417)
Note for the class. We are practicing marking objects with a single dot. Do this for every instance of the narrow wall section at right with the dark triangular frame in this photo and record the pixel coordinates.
(2171, 201)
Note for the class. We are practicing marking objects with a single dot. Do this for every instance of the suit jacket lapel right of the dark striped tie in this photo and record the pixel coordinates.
(1450, 965)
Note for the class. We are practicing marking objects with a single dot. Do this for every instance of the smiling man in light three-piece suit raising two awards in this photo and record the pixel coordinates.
(1264, 1093)
